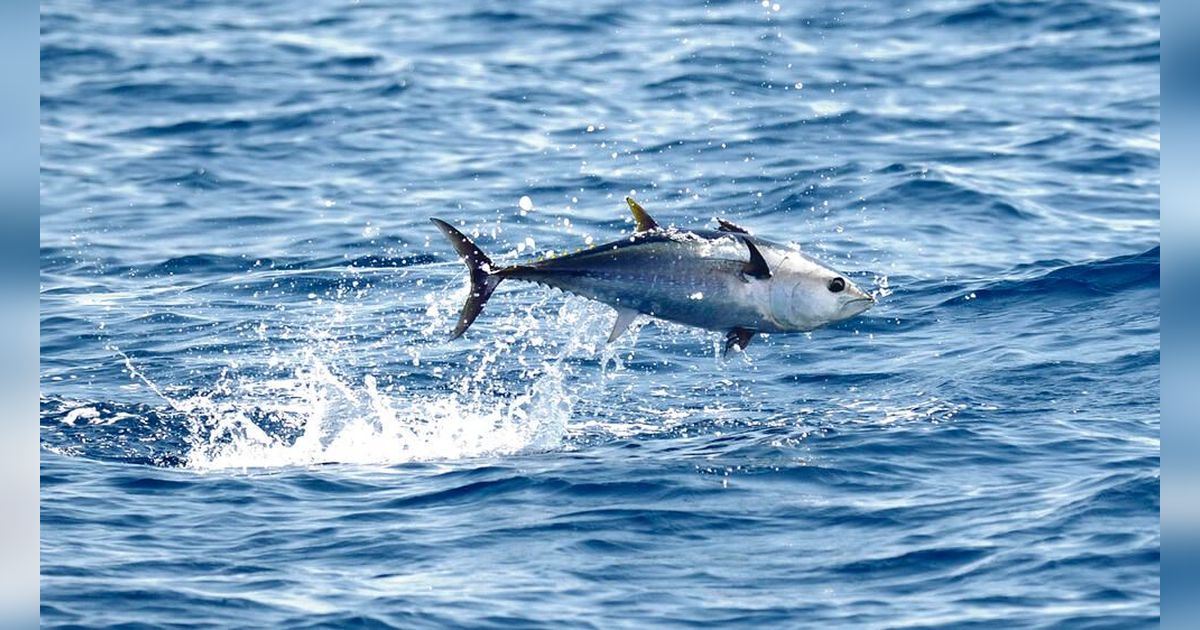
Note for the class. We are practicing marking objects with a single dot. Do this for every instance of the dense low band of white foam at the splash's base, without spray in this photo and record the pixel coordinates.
(346, 423)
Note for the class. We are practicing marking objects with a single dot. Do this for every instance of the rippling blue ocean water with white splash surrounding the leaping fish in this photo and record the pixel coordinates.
(251, 416)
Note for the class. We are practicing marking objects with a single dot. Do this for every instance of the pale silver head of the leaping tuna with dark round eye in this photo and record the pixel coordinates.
(806, 295)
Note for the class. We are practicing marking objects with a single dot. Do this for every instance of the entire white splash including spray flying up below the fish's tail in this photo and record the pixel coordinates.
(319, 416)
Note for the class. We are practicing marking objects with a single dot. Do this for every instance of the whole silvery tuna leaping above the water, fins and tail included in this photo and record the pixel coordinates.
(725, 280)
